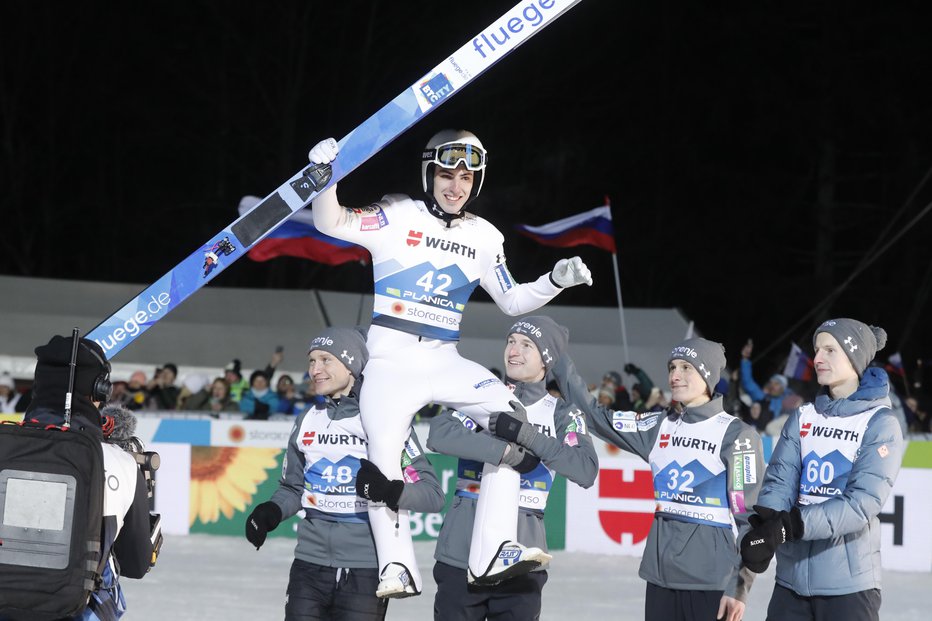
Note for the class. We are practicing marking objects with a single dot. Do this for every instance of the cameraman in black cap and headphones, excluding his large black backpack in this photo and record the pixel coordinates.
(125, 535)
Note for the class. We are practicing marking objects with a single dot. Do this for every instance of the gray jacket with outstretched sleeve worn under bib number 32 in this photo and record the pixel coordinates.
(679, 554)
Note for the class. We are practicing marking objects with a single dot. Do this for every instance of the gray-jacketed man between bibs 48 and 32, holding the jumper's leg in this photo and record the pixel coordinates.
(562, 447)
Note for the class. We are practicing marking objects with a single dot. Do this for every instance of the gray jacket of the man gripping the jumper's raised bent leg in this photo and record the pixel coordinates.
(457, 435)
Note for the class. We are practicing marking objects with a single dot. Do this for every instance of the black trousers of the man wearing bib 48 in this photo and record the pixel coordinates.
(318, 593)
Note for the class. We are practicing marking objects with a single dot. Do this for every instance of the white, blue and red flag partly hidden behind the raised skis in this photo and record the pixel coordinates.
(298, 237)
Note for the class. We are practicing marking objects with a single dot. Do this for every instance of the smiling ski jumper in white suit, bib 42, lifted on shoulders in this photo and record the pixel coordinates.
(427, 257)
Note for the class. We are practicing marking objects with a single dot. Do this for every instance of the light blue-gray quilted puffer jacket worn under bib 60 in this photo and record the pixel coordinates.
(839, 552)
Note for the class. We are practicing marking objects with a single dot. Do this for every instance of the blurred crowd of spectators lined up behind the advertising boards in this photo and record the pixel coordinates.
(765, 406)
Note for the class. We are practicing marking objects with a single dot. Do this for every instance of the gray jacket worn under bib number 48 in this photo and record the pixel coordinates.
(339, 543)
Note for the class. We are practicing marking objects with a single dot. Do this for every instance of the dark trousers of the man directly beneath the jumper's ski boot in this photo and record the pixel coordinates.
(517, 599)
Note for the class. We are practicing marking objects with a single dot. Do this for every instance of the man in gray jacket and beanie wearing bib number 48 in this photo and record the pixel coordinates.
(326, 475)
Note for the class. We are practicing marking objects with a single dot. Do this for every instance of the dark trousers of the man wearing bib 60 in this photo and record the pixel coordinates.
(787, 605)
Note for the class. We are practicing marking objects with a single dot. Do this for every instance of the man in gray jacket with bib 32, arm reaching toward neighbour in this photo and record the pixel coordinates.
(707, 467)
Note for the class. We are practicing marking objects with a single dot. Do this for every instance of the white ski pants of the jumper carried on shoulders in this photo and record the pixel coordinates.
(405, 373)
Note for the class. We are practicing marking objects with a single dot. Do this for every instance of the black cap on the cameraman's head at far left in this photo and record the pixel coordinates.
(52, 371)
